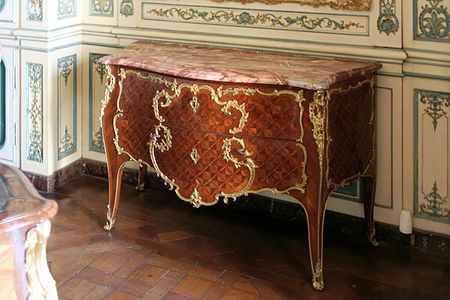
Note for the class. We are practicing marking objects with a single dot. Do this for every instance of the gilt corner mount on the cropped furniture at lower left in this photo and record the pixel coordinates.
(41, 284)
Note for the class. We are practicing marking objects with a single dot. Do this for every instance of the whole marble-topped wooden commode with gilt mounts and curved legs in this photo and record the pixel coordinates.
(218, 123)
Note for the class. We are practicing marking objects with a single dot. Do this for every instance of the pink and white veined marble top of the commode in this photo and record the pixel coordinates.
(239, 65)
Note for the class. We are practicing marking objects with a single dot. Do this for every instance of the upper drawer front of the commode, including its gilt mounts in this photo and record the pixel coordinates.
(227, 109)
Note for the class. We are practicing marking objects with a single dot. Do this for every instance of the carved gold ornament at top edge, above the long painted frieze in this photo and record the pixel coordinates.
(335, 4)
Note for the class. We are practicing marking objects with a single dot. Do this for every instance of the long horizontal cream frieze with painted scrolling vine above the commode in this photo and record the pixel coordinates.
(255, 18)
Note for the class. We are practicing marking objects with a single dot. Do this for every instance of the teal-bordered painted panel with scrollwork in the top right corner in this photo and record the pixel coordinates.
(431, 21)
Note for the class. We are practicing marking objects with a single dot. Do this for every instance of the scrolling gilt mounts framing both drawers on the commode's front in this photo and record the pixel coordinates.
(163, 98)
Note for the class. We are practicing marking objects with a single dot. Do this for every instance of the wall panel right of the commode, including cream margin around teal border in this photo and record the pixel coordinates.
(426, 153)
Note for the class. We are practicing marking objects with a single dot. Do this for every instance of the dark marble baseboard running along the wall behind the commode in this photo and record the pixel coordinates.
(337, 225)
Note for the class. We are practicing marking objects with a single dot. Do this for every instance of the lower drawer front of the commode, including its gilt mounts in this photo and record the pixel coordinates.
(201, 167)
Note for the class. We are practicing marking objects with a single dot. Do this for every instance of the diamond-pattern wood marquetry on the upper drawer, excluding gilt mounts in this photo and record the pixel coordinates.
(263, 112)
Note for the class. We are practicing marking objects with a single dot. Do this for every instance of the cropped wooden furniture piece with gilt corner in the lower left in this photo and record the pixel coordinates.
(24, 230)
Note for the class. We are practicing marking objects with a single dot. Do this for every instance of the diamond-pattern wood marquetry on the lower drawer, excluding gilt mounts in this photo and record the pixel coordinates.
(278, 162)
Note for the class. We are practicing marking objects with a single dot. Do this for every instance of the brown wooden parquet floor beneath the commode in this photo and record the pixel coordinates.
(161, 248)
